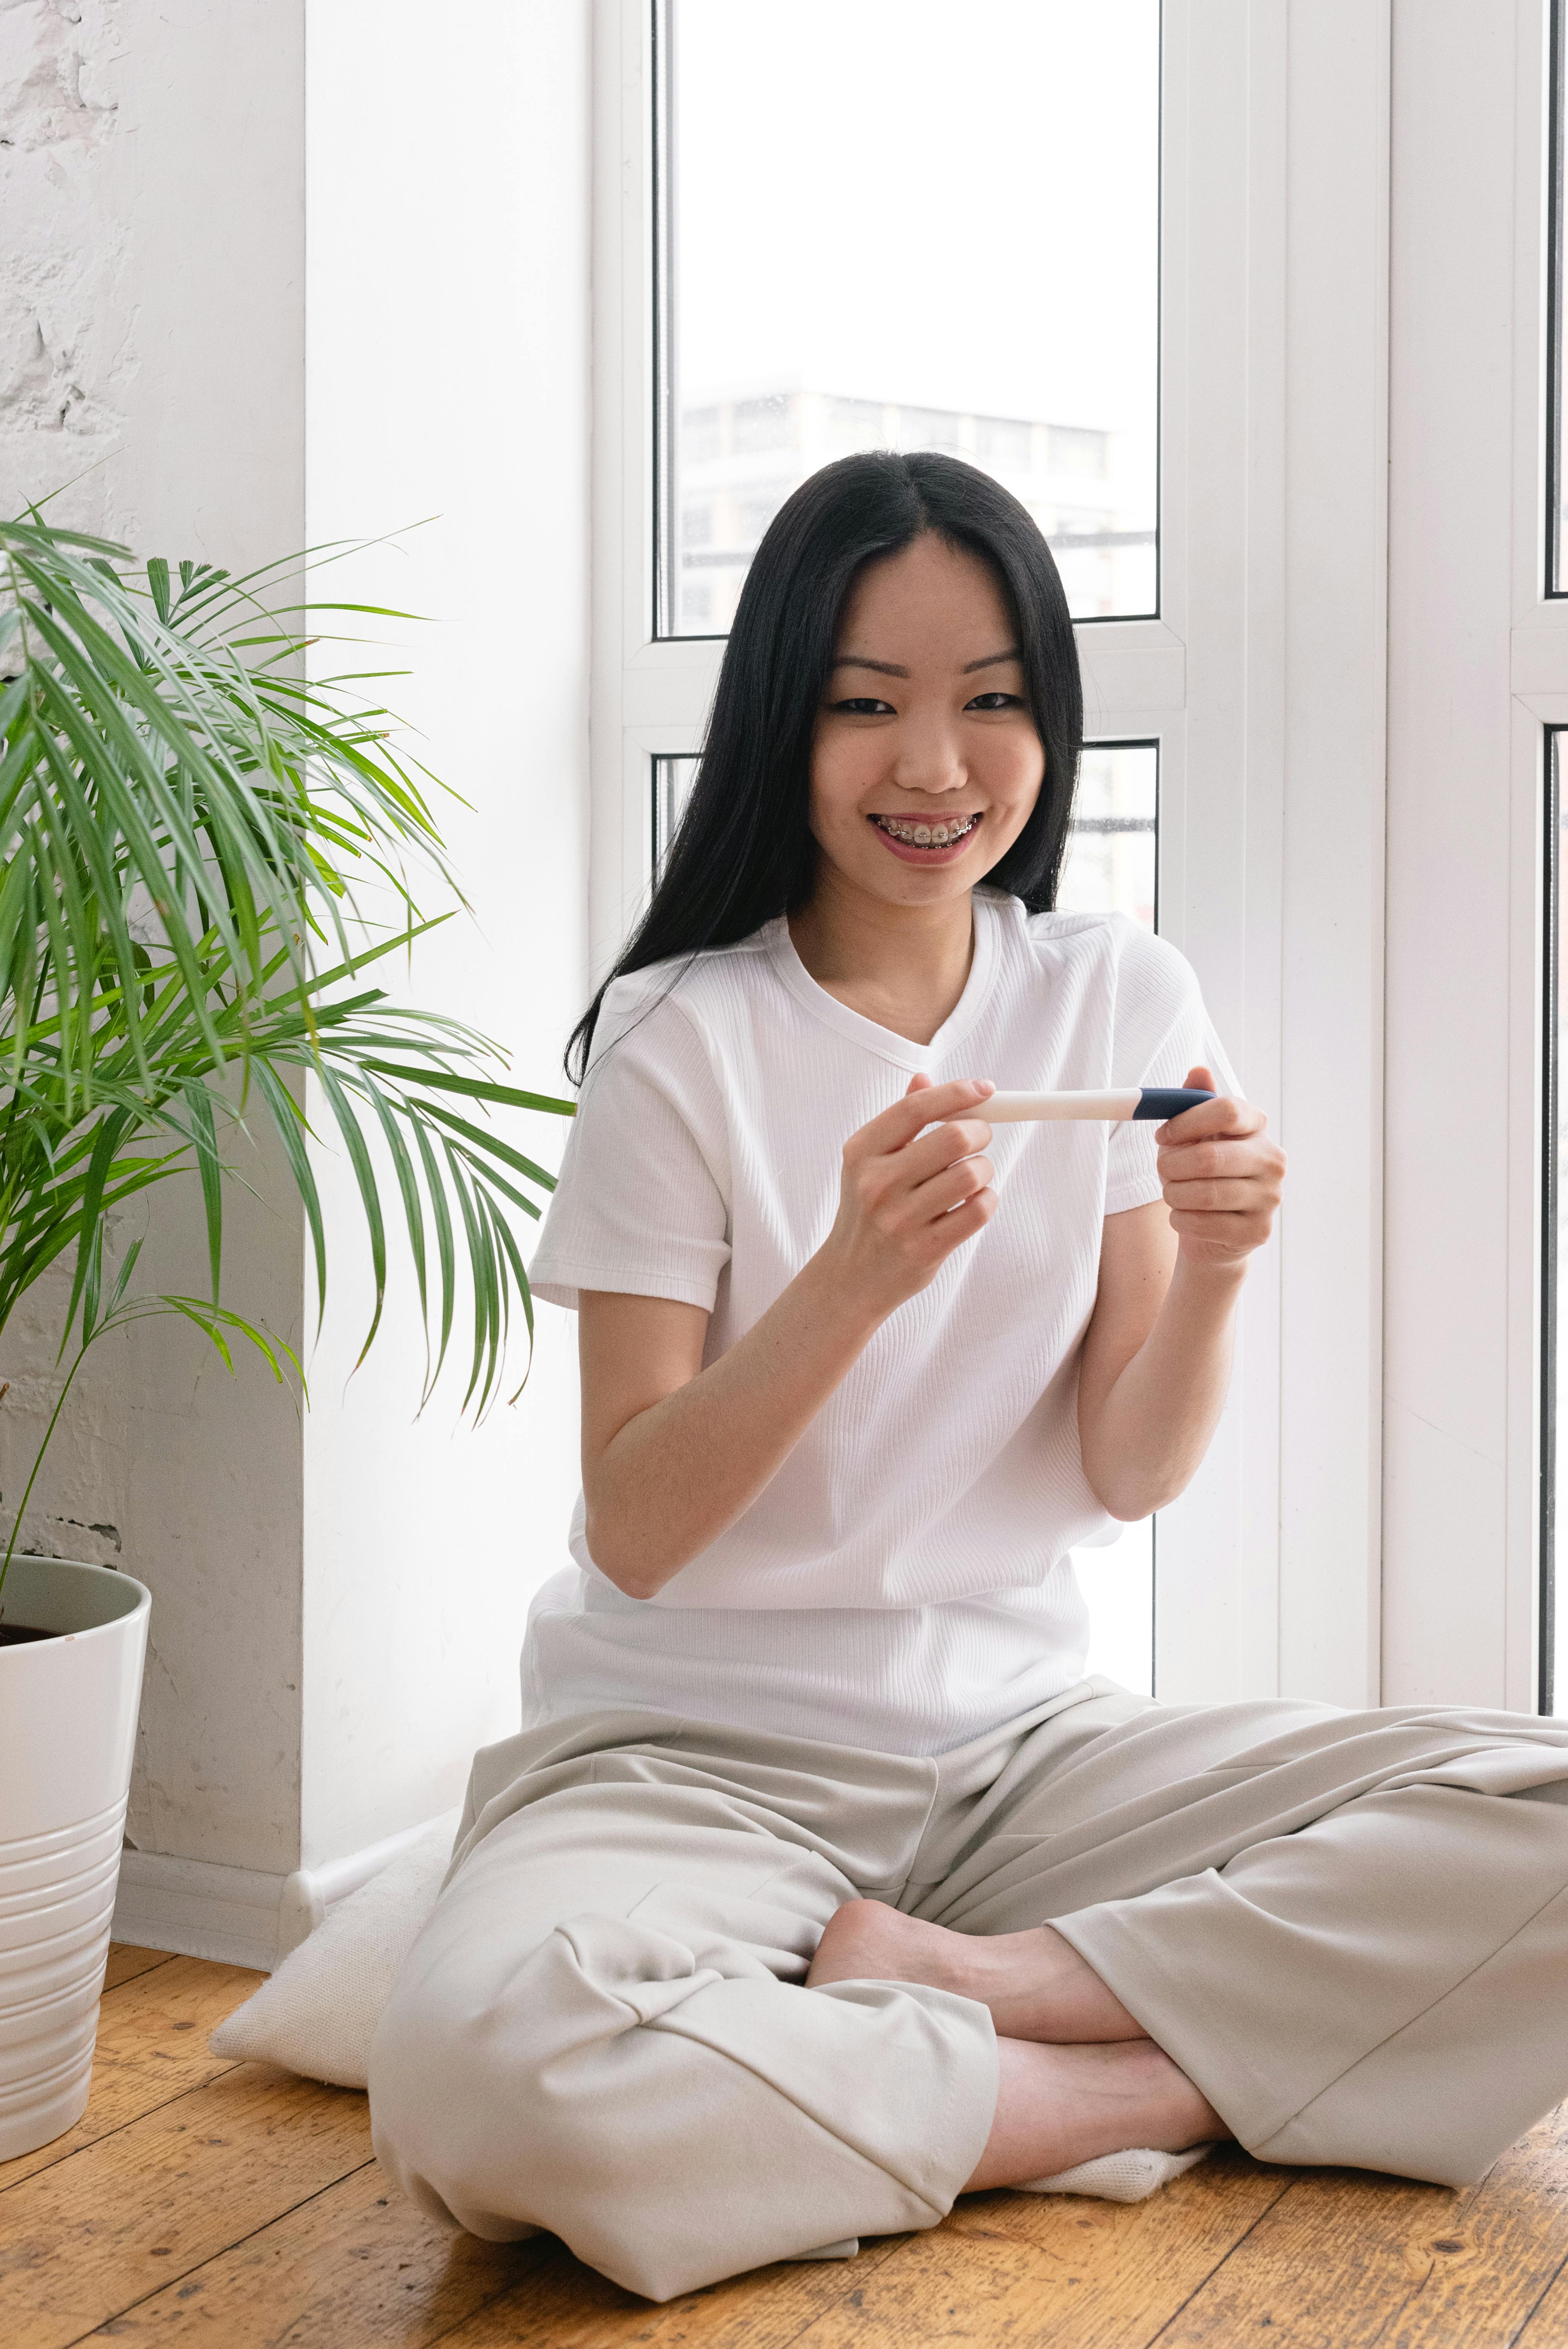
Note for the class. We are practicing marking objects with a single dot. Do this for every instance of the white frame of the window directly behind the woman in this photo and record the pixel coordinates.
(1271, 812)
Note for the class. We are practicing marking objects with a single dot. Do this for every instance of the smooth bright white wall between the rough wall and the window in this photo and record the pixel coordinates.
(447, 375)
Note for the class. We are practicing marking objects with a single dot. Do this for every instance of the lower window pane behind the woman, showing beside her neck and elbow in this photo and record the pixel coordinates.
(1111, 868)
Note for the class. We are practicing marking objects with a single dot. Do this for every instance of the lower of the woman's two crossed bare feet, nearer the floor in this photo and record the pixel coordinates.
(1060, 2106)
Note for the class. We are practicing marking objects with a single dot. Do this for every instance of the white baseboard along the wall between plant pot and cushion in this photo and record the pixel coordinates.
(241, 1916)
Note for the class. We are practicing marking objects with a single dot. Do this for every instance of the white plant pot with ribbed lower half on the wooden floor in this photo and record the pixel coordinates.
(67, 1739)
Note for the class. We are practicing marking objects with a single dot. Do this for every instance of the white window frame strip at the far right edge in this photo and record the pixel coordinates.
(1478, 673)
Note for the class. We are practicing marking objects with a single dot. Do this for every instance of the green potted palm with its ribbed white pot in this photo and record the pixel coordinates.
(203, 856)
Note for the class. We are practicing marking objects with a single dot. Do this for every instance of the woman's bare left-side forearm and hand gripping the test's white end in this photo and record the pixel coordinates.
(675, 1453)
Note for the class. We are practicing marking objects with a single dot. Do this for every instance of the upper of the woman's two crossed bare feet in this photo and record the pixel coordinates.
(1034, 1984)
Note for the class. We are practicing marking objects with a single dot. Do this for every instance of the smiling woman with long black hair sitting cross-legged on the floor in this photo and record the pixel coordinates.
(809, 1711)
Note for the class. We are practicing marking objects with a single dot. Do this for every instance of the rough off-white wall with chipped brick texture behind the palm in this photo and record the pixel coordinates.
(151, 351)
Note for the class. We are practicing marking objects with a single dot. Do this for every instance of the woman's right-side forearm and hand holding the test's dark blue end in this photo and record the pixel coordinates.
(1156, 1357)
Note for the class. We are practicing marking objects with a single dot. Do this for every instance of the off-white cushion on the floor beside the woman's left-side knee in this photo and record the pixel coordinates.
(318, 2014)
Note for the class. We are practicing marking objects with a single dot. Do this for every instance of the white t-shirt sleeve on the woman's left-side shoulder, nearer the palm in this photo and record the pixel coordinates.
(644, 1194)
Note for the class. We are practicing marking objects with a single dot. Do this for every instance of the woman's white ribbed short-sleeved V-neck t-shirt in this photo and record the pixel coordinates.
(905, 1580)
